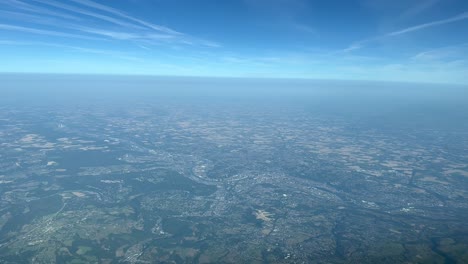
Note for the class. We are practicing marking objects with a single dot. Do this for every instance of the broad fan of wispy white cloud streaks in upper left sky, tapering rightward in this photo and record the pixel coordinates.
(77, 19)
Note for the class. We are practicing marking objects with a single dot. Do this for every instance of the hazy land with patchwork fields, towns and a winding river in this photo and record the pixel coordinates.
(226, 181)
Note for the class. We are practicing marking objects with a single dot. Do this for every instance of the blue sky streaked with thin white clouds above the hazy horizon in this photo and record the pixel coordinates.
(381, 40)
